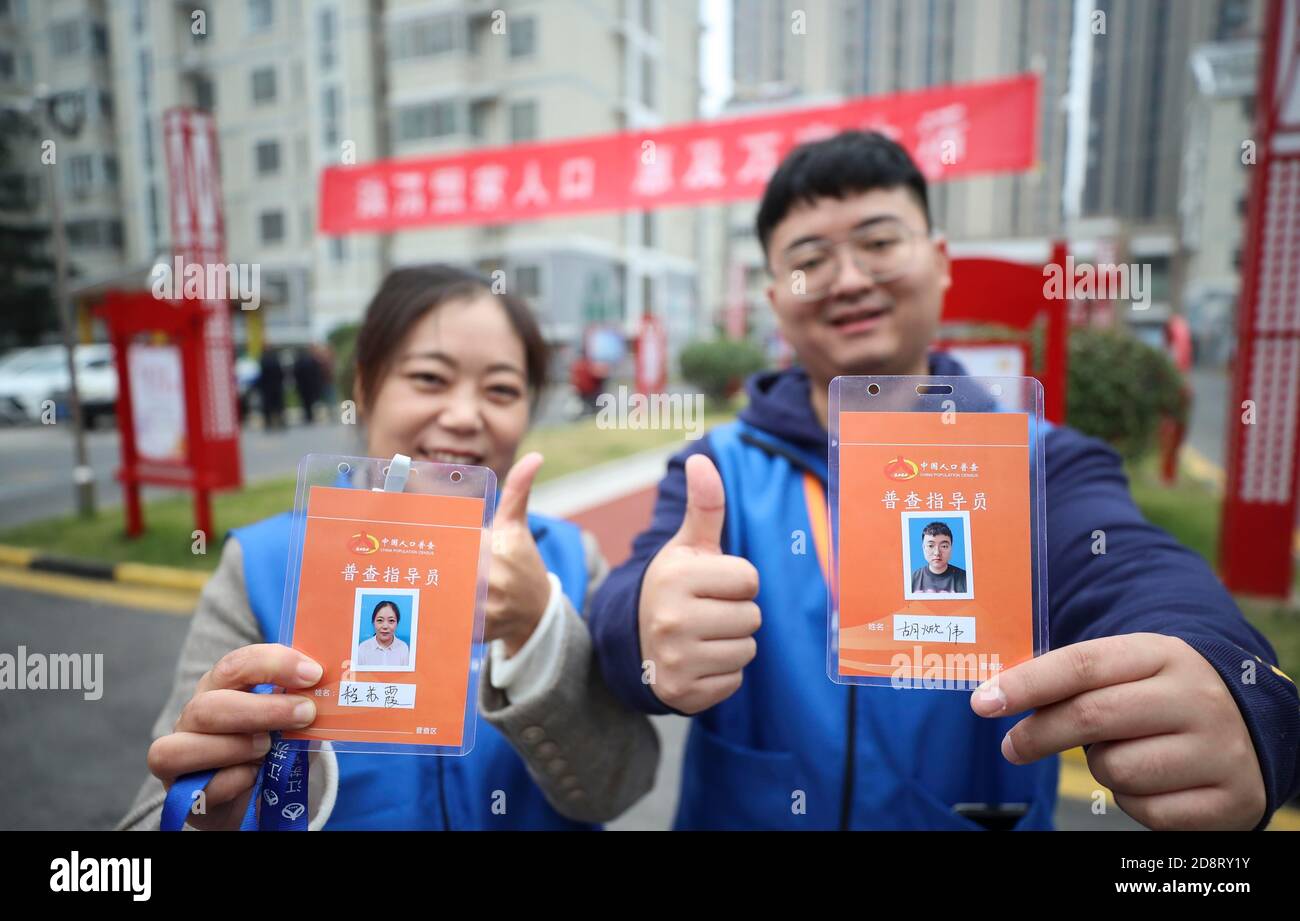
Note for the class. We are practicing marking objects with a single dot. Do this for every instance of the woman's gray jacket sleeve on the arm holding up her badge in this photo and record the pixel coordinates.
(223, 622)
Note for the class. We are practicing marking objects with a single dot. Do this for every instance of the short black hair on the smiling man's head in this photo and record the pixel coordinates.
(848, 165)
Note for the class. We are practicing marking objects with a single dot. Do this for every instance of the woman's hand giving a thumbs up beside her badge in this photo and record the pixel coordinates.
(518, 589)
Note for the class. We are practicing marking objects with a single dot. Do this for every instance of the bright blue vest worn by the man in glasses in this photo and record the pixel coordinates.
(791, 740)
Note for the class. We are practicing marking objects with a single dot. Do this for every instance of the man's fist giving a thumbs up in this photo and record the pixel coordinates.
(697, 616)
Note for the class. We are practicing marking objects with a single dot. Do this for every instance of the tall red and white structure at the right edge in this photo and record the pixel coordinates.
(1259, 496)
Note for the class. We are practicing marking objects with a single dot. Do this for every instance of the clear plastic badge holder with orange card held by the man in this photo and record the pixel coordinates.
(915, 464)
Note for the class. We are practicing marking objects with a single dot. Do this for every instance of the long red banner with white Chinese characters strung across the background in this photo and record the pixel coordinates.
(952, 132)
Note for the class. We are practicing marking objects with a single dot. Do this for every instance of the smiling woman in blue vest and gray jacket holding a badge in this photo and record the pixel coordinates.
(447, 371)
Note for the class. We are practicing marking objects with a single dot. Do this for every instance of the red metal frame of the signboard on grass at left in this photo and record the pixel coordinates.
(131, 317)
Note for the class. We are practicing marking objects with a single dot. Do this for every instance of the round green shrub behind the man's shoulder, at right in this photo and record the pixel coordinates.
(1121, 388)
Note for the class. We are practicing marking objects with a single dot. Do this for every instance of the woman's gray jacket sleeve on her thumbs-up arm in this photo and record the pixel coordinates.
(591, 756)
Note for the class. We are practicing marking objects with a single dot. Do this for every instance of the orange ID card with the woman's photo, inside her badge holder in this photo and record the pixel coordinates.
(387, 604)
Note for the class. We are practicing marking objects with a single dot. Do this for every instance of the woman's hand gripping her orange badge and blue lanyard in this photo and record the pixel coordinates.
(228, 728)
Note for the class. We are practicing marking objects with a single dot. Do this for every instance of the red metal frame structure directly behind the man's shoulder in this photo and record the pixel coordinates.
(1015, 295)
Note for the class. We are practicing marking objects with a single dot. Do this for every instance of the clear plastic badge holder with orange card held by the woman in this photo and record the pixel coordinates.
(375, 542)
